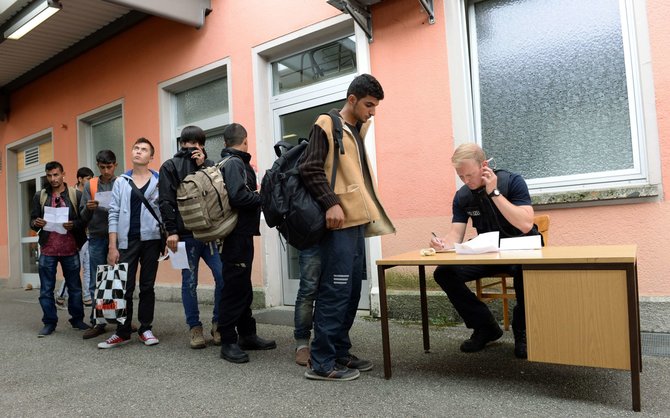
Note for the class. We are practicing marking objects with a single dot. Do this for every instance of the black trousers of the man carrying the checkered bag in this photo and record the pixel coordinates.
(145, 253)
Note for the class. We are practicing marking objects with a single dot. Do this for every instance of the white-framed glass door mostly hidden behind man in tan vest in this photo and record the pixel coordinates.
(292, 123)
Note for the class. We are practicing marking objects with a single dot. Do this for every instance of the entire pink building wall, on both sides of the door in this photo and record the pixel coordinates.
(414, 131)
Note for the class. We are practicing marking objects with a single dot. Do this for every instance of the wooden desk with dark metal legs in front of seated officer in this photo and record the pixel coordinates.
(575, 299)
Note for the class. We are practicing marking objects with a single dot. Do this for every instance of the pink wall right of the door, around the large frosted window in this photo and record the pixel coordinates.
(415, 143)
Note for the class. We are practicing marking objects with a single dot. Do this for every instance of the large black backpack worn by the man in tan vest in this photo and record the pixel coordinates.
(287, 204)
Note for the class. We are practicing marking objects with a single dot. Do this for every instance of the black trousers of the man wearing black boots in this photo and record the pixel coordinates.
(235, 315)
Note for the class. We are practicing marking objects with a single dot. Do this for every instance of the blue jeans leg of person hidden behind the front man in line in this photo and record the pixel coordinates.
(310, 270)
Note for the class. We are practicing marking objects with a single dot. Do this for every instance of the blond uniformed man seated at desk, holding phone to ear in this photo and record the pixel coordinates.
(495, 201)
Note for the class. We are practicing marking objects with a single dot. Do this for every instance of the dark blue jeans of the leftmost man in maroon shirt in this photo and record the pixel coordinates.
(47, 271)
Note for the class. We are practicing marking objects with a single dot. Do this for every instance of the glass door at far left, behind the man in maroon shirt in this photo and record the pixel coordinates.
(29, 184)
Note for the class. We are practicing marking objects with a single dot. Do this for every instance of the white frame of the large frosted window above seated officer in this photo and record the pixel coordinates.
(644, 130)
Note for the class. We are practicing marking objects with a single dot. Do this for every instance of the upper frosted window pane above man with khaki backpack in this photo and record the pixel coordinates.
(201, 102)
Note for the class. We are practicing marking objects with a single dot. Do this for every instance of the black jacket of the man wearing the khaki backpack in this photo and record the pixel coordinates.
(171, 173)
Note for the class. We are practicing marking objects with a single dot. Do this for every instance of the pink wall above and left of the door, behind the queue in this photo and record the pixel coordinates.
(131, 66)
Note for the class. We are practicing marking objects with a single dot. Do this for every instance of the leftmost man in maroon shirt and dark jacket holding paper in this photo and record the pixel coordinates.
(61, 232)
